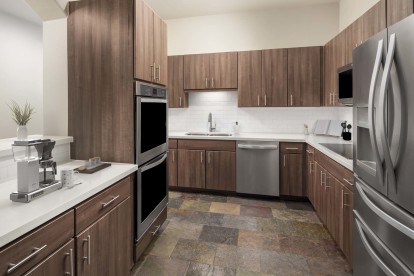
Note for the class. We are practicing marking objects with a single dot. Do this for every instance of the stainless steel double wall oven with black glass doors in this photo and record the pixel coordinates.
(150, 153)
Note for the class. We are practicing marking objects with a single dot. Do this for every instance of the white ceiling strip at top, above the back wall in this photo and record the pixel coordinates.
(172, 9)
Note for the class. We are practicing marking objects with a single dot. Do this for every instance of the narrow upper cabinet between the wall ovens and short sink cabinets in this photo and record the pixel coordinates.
(177, 98)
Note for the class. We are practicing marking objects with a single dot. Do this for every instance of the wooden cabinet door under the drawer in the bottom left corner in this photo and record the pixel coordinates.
(61, 262)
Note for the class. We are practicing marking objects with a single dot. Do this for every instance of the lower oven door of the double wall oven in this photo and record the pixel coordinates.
(152, 192)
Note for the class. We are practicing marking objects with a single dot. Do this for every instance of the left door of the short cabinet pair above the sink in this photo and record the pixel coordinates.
(197, 71)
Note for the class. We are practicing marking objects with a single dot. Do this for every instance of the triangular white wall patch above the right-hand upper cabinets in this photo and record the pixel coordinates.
(350, 10)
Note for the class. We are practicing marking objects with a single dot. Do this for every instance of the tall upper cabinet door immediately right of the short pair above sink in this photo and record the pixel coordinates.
(249, 78)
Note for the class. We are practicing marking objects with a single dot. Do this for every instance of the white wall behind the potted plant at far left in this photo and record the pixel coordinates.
(21, 72)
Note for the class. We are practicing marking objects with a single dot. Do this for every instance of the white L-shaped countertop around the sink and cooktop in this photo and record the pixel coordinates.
(313, 140)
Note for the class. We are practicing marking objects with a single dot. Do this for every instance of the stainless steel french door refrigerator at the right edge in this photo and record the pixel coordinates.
(383, 225)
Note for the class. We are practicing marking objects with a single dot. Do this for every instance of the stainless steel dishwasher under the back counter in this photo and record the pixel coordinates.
(258, 167)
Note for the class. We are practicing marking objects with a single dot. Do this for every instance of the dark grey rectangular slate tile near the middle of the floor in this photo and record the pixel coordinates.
(220, 235)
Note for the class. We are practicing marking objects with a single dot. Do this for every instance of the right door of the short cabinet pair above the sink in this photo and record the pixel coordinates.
(223, 70)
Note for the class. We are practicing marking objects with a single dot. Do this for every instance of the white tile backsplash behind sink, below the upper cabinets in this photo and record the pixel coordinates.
(223, 106)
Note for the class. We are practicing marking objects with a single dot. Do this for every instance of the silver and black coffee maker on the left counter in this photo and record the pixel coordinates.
(36, 169)
